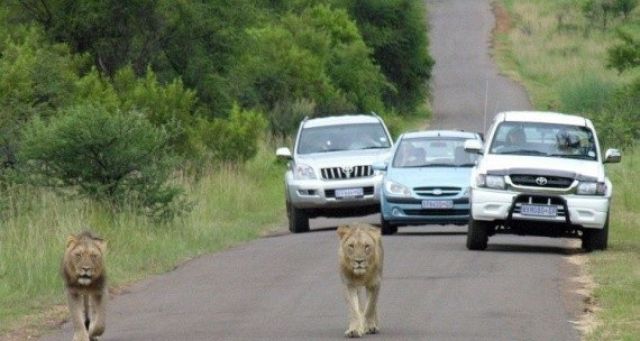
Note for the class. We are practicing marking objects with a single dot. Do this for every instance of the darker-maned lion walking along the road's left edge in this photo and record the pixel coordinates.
(85, 283)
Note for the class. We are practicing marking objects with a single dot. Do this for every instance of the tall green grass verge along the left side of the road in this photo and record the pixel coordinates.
(232, 204)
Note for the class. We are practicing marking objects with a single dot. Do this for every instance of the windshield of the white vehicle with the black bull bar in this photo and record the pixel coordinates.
(544, 139)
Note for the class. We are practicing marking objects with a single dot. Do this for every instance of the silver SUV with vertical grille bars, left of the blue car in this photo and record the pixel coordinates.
(330, 171)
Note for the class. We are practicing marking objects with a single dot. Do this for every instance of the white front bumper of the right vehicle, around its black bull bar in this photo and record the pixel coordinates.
(496, 205)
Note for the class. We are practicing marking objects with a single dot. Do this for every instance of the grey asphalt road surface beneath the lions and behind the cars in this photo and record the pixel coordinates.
(286, 287)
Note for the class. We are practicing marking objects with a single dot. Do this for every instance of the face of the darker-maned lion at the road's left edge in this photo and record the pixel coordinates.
(83, 259)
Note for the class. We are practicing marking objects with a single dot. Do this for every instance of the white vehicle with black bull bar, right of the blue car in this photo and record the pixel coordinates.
(540, 174)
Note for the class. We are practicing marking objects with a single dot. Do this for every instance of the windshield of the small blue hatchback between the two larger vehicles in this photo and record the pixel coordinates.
(433, 152)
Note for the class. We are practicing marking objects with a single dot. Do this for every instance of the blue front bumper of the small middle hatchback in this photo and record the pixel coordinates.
(409, 211)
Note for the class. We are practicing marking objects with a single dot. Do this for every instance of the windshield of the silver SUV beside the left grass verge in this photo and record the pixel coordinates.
(342, 137)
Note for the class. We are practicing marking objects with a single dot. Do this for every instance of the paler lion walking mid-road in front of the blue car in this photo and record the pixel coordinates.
(360, 254)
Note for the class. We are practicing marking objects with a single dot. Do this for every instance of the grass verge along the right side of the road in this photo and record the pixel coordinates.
(560, 58)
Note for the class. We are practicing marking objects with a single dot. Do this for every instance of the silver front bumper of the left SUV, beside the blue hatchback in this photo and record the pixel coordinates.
(321, 194)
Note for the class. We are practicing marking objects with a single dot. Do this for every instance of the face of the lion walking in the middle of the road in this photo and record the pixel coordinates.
(359, 247)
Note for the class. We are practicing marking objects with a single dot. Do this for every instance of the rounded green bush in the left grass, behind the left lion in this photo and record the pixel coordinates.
(114, 157)
